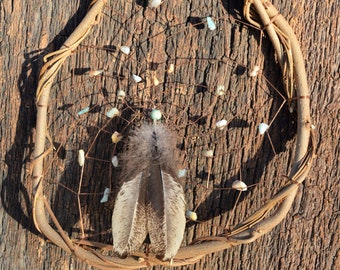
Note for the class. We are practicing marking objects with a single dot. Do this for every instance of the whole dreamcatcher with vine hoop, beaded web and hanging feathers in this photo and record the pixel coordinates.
(147, 131)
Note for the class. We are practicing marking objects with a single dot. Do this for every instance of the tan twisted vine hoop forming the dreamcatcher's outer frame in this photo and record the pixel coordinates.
(259, 13)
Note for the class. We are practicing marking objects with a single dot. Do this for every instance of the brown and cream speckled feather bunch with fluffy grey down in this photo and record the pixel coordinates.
(150, 201)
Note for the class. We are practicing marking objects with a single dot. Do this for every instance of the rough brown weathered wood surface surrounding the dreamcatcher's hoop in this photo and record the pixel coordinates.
(307, 239)
